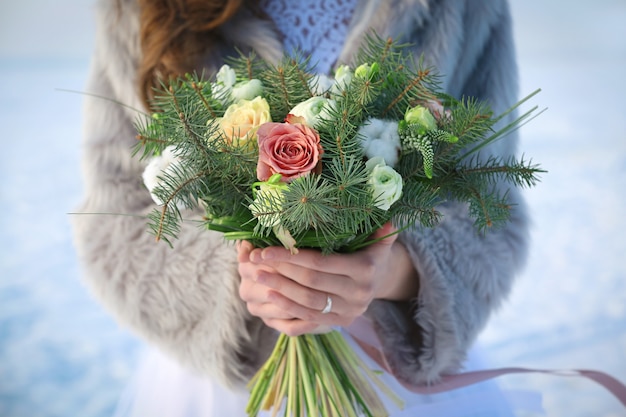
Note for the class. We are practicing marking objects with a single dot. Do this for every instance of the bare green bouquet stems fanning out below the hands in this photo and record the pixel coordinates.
(316, 375)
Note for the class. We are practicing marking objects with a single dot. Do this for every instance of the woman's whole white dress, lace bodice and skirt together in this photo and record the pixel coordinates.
(161, 388)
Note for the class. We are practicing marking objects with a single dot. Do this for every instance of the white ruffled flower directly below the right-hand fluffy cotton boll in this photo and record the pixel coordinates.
(385, 183)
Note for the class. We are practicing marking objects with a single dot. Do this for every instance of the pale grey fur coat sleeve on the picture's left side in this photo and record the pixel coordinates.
(184, 299)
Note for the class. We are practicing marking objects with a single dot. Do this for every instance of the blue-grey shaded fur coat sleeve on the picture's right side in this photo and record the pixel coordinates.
(464, 275)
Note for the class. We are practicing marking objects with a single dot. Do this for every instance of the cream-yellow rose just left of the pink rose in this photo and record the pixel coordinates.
(242, 119)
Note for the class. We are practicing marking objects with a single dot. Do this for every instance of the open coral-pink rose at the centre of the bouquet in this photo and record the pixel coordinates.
(291, 150)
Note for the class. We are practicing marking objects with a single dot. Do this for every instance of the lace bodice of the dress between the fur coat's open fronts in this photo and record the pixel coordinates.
(314, 27)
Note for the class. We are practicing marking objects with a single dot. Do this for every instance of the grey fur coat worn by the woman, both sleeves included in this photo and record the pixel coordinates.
(185, 300)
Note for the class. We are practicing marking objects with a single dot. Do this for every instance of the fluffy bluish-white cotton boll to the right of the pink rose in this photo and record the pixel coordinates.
(381, 138)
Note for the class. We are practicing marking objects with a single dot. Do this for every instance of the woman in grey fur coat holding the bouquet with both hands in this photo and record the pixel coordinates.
(216, 308)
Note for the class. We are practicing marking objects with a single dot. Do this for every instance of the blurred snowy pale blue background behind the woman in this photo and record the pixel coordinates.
(61, 355)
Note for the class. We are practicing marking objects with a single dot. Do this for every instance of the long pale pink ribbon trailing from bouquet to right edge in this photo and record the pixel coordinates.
(365, 336)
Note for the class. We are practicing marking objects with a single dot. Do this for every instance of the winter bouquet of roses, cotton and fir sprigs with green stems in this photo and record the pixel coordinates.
(277, 155)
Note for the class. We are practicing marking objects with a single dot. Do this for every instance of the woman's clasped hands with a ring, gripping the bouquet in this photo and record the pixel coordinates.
(288, 292)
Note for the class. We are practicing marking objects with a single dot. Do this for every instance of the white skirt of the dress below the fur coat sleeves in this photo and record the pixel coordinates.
(162, 388)
